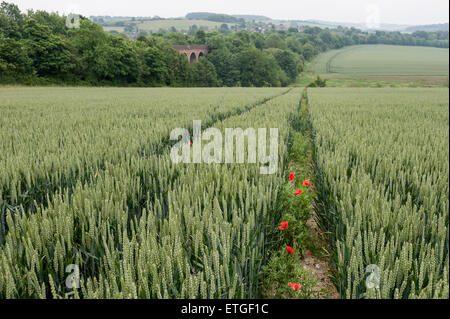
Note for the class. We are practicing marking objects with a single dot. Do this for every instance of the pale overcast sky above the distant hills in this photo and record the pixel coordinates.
(389, 11)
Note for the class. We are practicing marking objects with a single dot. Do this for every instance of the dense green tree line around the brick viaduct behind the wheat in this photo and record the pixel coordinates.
(37, 48)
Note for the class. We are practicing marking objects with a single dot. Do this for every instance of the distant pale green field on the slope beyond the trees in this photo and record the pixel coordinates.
(383, 60)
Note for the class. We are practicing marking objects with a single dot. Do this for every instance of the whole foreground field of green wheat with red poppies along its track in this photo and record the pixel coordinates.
(89, 191)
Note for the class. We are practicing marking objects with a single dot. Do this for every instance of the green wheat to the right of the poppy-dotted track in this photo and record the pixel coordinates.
(382, 160)
